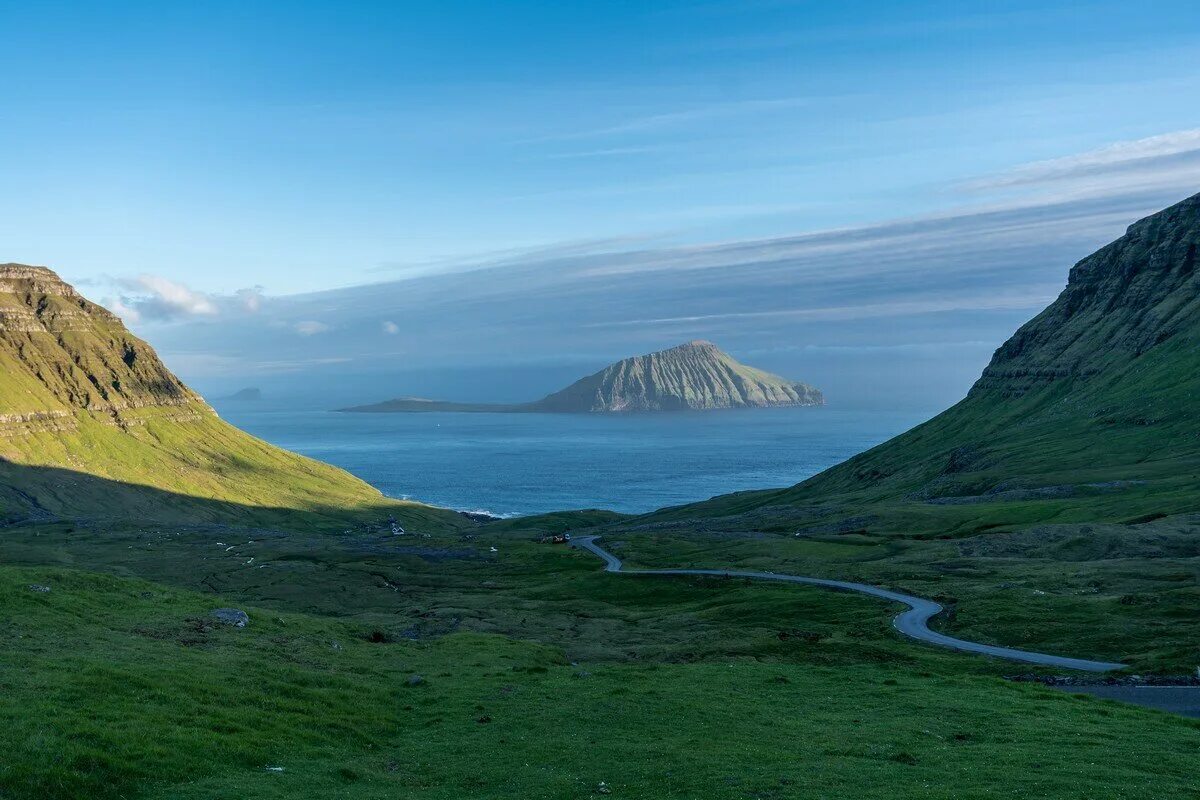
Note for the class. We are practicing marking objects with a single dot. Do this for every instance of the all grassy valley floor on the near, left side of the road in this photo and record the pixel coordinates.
(436, 669)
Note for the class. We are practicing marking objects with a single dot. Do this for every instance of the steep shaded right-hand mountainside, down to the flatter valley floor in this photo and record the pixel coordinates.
(1102, 387)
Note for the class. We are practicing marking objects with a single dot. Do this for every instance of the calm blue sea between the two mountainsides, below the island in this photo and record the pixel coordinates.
(530, 464)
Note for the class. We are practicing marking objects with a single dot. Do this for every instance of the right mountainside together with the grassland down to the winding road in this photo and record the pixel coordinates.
(1055, 507)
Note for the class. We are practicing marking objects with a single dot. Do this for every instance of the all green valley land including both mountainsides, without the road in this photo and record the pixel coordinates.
(1051, 512)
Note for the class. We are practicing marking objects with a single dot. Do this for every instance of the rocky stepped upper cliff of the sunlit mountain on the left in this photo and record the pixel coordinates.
(62, 354)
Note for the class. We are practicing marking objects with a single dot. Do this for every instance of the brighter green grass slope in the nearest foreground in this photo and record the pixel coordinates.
(118, 688)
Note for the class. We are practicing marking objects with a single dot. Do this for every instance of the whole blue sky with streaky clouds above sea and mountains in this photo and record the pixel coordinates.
(200, 164)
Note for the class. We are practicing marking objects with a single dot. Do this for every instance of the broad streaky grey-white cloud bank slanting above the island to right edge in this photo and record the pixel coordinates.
(968, 275)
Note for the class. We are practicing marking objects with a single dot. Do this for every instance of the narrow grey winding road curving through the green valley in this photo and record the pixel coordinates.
(913, 623)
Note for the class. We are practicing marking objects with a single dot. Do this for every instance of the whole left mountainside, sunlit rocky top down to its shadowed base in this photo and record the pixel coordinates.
(94, 425)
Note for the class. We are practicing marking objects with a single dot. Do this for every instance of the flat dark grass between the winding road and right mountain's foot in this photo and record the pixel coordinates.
(1081, 598)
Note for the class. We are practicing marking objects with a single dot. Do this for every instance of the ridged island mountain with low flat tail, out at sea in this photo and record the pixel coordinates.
(693, 377)
